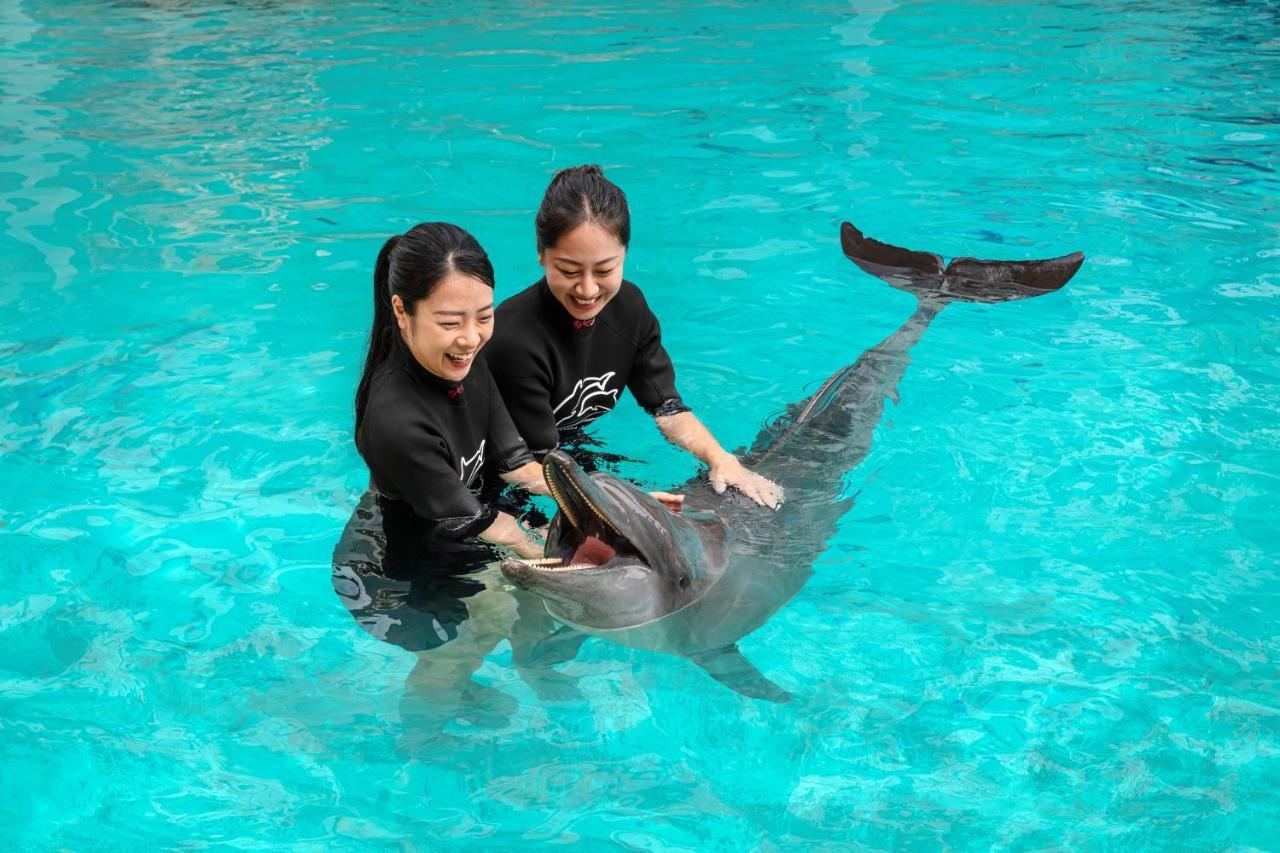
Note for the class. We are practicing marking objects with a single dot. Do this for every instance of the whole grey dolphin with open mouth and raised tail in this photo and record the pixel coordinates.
(621, 567)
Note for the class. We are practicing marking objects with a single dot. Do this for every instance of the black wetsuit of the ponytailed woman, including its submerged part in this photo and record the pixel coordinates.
(433, 449)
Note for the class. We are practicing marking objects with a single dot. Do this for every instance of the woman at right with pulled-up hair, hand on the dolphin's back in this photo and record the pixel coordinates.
(568, 346)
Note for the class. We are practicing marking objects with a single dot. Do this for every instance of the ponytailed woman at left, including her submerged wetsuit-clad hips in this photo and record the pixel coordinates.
(431, 425)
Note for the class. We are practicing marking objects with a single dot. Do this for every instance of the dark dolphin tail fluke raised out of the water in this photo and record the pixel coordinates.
(966, 280)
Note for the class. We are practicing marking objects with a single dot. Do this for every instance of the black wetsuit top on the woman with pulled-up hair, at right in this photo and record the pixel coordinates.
(559, 375)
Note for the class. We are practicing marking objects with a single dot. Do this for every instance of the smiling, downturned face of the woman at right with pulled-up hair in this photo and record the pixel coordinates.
(584, 270)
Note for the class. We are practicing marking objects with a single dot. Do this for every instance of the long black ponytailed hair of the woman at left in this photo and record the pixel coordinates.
(412, 266)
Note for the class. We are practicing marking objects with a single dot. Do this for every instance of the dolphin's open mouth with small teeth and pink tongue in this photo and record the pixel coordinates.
(587, 535)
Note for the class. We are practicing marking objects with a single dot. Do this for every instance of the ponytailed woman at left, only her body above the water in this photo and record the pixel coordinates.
(427, 423)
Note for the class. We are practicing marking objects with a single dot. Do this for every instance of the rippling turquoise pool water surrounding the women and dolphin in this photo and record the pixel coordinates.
(1050, 618)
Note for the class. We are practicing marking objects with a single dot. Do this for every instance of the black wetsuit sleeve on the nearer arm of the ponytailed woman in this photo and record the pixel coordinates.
(413, 462)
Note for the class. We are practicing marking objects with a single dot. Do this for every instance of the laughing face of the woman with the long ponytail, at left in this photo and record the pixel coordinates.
(450, 326)
